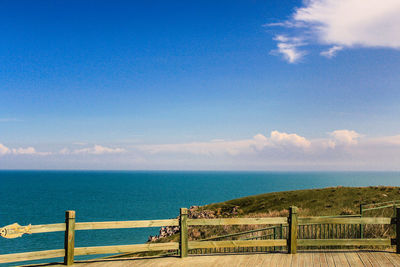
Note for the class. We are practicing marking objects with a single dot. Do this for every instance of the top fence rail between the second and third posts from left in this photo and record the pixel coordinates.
(238, 221)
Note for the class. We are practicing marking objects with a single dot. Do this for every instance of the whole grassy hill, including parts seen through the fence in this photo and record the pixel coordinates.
(312, 202)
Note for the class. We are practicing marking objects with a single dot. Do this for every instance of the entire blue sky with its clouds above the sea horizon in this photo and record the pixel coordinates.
(184, 85)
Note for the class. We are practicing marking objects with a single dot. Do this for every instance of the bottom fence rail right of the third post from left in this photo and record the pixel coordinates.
(344, 242)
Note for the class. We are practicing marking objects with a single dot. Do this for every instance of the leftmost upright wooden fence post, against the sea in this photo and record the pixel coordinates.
(69, 241)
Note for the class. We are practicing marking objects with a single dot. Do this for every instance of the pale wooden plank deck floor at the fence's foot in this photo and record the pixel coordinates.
(316, 258)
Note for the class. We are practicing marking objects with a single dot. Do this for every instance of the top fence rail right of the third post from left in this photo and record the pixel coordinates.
(363, 220)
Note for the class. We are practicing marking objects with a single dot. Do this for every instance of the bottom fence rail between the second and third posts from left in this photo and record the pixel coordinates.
(237, 243)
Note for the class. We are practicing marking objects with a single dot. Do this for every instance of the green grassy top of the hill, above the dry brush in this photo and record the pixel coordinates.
(313, 202)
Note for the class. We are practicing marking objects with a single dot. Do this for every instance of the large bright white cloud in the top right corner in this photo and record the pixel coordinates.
(346, 24)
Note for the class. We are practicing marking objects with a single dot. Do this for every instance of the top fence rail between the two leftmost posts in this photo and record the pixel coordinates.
(125, 224)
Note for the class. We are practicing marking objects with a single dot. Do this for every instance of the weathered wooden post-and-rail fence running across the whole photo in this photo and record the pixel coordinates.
(292, 223)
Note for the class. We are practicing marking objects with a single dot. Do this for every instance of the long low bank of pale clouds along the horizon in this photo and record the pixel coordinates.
(338, 149)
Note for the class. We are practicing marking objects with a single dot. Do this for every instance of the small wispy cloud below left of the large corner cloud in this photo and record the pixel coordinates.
(289, 48)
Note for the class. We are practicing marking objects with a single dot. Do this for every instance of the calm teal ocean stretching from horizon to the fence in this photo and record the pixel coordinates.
(41, 197)
